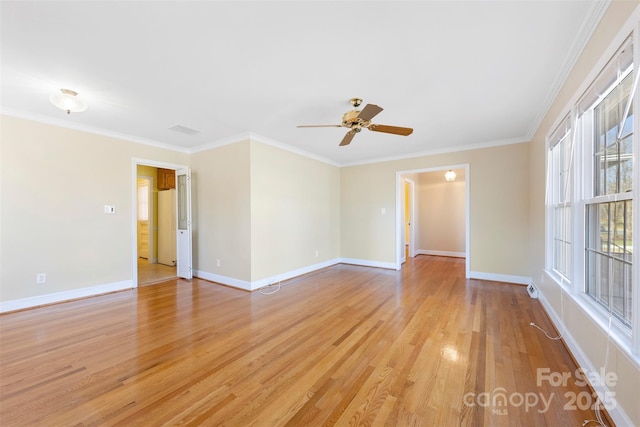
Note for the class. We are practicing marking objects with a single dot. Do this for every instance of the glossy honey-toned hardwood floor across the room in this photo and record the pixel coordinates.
(345, 345)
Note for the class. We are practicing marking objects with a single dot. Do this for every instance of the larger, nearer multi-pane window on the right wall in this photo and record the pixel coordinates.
(606, 120)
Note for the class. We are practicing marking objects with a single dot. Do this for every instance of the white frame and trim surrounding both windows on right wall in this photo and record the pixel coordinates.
(627, 338)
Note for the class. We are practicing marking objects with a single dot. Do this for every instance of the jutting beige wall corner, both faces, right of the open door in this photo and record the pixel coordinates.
(263, 212)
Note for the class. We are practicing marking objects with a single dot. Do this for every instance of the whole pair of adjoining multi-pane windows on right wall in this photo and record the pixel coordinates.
(590, 202)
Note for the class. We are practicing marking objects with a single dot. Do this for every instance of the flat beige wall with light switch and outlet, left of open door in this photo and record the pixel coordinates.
(55, 183)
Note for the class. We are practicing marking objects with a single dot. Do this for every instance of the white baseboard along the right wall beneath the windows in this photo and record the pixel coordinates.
(617, 414)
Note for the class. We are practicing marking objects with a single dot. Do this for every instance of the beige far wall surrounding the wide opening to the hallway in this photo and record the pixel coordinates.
(498, 205)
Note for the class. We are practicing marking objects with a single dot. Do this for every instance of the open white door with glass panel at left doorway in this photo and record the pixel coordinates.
(183, 187)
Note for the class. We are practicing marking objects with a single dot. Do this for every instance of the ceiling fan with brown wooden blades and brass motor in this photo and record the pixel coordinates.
(356, 120)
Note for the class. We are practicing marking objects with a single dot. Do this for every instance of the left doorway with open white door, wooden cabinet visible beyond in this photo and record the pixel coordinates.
(162, 251)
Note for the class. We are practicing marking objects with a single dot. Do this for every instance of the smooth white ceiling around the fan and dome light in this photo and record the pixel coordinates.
(461, 73)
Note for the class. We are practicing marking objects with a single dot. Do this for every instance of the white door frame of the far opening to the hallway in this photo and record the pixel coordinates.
(400, 224)
